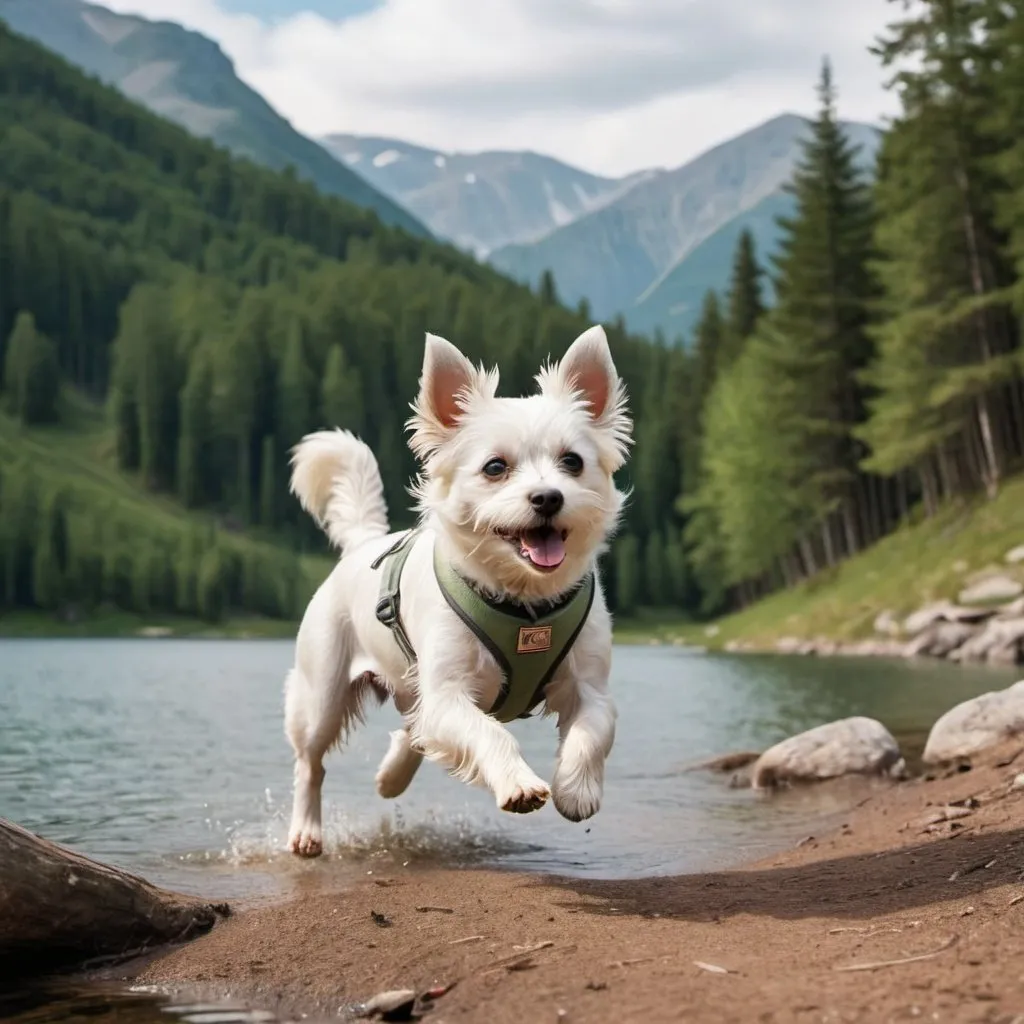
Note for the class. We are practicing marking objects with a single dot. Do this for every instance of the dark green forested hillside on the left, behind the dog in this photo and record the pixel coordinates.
(220, 312)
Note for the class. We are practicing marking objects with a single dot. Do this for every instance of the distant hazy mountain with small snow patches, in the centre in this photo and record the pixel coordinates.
(480, 201)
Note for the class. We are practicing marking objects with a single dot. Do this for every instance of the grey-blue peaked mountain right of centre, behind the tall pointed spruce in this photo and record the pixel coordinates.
(617, 257)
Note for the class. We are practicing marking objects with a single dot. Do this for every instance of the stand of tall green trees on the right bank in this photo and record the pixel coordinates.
(890, 369)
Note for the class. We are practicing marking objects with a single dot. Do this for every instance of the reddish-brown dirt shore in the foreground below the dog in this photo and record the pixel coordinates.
(897, 917)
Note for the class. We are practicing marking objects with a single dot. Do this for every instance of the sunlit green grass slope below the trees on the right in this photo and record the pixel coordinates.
(927, 561)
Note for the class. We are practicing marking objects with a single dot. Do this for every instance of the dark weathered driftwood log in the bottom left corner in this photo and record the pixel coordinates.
(60, 910)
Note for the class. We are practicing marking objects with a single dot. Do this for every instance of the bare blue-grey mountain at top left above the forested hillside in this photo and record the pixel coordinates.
(188, 79)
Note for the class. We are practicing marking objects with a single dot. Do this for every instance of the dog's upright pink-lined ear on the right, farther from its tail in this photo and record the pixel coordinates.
(588, 374)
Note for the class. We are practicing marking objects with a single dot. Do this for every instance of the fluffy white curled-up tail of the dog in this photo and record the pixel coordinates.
(337, 481)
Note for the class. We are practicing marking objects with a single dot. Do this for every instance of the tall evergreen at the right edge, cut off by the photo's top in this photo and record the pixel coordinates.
(949, 353)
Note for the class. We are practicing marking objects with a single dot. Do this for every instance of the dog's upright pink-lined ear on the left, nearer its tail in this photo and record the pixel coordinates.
(449, 385)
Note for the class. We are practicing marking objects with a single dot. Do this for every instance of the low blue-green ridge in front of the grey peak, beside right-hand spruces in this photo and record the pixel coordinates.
(673, 305)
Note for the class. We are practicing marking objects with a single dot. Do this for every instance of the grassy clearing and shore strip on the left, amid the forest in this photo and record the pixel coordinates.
(78, 458)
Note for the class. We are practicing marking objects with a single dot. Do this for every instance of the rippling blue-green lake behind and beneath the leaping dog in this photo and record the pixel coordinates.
(168, 757)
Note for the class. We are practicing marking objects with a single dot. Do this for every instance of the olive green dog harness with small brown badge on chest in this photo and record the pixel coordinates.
(528, 649)
